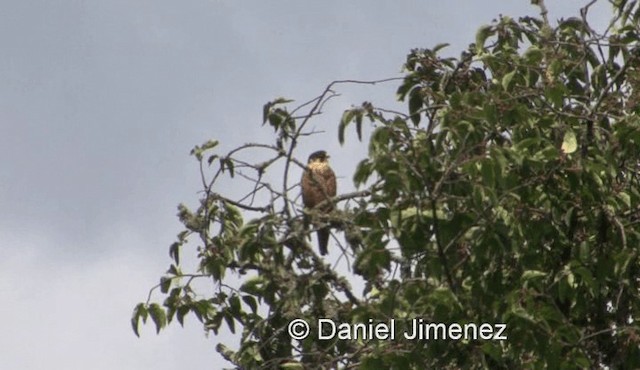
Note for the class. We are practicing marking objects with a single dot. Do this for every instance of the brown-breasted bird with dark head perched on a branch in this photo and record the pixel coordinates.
(318, 184)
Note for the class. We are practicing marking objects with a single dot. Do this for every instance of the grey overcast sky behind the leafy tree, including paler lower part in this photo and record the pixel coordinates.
(100, 104)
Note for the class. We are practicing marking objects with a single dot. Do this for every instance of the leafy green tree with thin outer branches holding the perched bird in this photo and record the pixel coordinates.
(507, 194)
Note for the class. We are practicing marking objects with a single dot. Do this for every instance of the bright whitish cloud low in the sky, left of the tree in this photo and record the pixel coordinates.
(69, 315)
